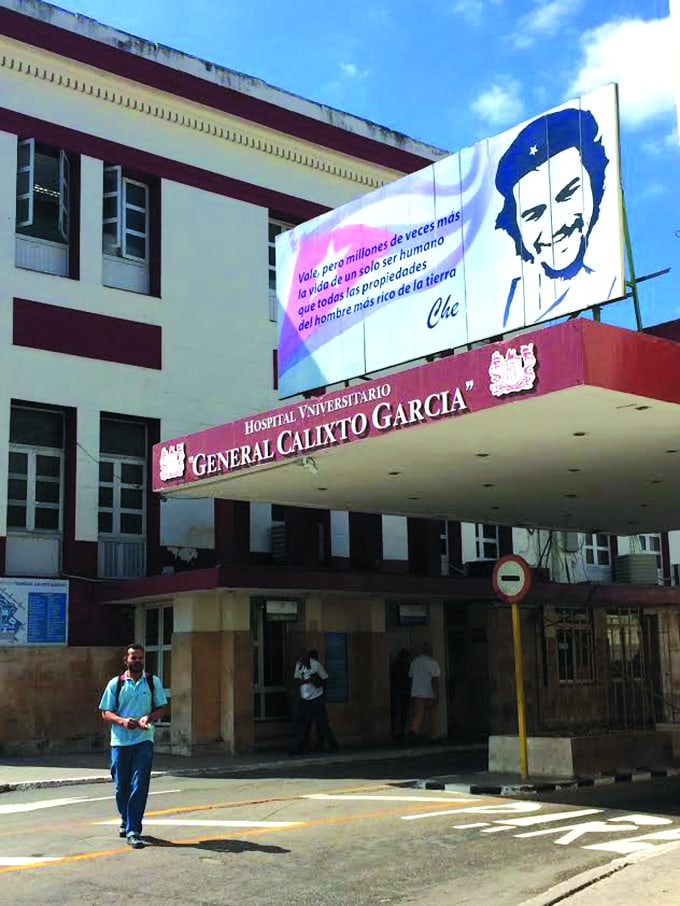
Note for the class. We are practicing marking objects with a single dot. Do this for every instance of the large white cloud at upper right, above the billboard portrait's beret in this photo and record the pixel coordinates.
(639, 55)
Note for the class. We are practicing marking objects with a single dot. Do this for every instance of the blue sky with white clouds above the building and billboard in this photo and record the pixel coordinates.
(449, 72)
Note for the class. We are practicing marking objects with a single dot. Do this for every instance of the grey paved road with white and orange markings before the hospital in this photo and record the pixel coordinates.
(352, 834)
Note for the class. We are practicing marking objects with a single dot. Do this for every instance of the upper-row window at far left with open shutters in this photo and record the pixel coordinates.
(44, 207)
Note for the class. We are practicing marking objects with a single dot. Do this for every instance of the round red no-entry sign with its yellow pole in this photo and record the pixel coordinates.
(511, 581)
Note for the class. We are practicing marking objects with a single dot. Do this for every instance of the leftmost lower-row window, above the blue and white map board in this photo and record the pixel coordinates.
(36, 467)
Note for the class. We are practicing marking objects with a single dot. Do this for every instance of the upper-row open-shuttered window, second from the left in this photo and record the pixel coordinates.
(126, 231)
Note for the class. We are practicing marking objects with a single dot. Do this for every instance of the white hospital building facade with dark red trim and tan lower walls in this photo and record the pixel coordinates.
(142, 191)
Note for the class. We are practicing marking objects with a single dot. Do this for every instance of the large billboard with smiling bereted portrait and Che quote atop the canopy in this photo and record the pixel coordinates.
(517, 230)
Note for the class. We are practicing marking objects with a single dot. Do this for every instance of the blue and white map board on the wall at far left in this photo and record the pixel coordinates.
(33, 611)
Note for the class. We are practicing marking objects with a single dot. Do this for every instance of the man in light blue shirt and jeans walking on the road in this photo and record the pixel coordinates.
(130, 703)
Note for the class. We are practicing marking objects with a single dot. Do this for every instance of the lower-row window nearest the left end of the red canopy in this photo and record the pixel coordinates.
(122, 479)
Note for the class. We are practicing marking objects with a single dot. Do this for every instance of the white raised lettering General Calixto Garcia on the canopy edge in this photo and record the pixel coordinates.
(383, 416)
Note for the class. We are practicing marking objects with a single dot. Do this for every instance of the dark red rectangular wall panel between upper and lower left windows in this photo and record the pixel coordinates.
(72, 332)
